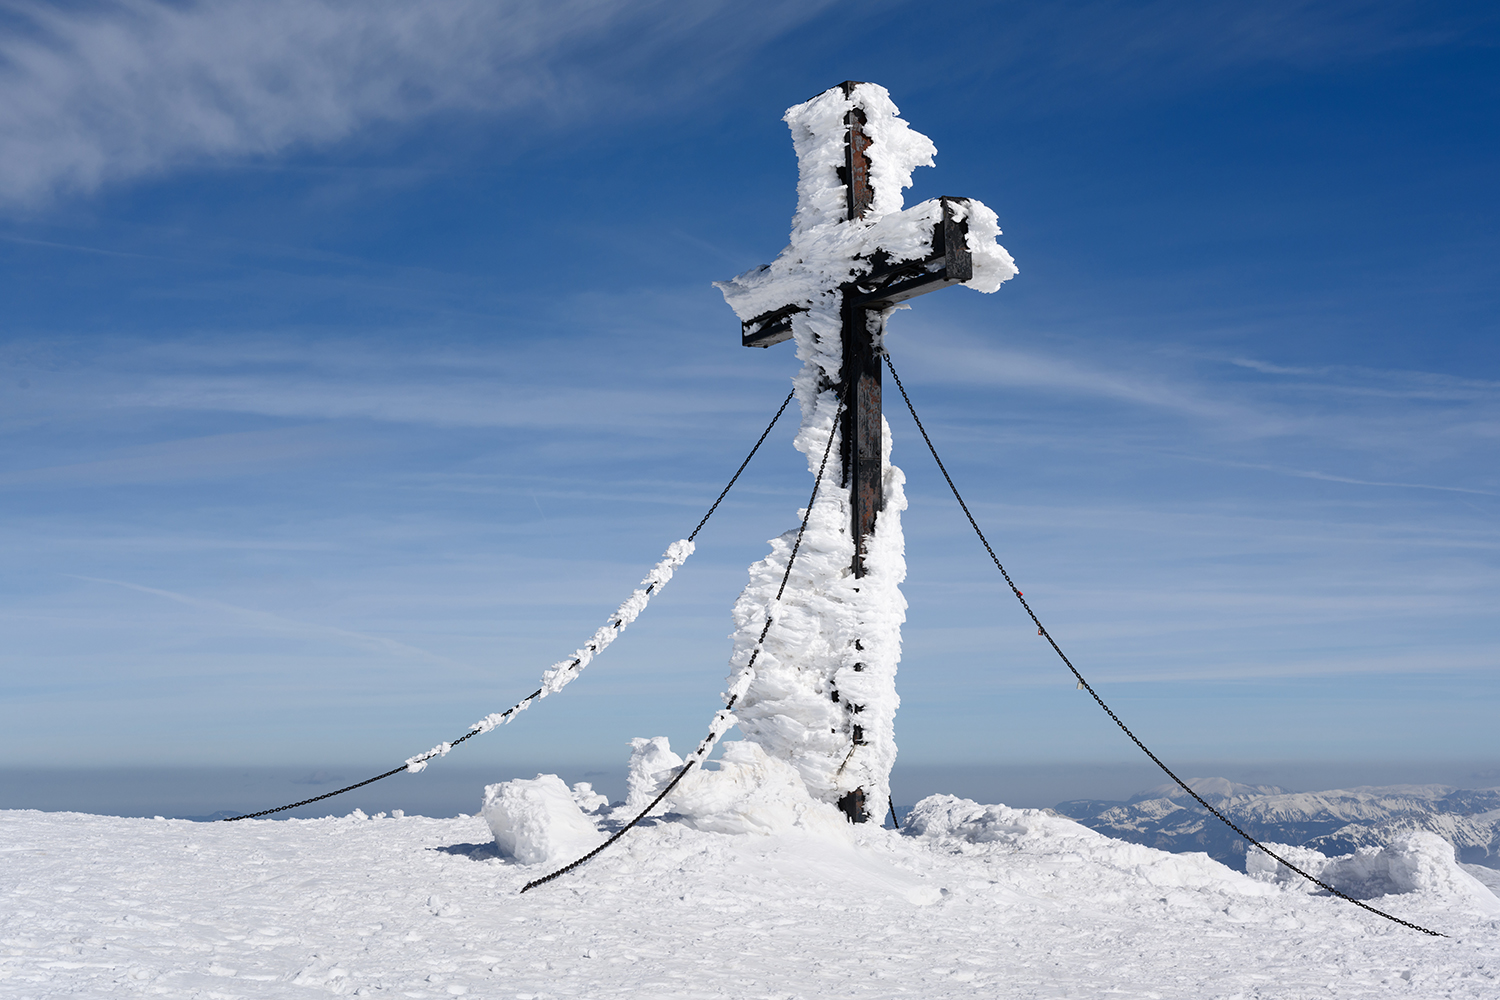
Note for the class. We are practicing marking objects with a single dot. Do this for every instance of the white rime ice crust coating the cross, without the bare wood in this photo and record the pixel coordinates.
(823, 693)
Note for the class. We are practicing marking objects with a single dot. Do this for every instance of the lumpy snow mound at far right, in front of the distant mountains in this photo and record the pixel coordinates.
(1414, 863)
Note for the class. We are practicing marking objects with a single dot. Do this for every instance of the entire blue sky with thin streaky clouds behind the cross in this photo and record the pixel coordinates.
(358, 359)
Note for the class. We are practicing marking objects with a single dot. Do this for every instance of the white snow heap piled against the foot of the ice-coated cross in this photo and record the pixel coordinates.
(754, 794)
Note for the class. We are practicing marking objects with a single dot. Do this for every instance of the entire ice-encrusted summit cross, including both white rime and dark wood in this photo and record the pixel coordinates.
(823, 695)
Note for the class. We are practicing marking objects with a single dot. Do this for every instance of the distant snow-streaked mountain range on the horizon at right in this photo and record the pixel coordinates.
(1336, 822)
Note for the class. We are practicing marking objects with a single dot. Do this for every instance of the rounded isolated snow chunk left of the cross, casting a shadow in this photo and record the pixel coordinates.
(536, 821)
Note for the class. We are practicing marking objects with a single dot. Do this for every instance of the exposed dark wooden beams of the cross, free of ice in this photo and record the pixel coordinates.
(877, 286)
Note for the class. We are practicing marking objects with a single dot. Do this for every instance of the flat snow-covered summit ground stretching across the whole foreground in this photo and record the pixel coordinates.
(976, 902)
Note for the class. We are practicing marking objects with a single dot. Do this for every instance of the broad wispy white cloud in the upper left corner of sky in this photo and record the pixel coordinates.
(95, 94)
